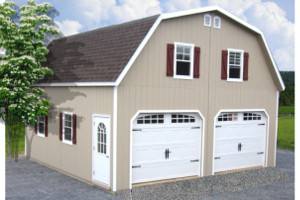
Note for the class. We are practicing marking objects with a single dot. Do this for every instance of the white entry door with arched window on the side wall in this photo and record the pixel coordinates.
(101, 149)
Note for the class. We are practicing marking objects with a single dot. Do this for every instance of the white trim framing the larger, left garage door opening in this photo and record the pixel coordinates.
(201, 171)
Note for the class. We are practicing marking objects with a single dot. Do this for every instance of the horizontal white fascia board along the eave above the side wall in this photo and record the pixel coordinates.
(76, 84)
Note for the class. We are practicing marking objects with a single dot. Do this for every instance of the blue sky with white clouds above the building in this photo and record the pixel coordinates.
(274, 17)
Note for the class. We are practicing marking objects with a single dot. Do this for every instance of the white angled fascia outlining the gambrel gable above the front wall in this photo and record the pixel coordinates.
(191, 12)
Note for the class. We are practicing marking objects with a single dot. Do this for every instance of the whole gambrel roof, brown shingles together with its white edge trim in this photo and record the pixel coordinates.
(102, 57)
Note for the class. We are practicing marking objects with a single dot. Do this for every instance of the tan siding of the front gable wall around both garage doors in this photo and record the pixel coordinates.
(146, 86)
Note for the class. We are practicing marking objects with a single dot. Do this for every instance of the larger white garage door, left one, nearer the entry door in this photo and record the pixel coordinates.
(165, 146)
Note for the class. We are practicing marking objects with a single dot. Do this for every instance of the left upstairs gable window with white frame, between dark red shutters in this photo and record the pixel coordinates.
(184, 60)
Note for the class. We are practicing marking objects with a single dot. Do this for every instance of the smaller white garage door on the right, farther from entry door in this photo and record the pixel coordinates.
(240, 140)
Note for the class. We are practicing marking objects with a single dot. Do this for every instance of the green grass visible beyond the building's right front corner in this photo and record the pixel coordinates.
(286, 128)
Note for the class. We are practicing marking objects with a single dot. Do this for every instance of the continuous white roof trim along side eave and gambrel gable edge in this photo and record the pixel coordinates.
(152, 30)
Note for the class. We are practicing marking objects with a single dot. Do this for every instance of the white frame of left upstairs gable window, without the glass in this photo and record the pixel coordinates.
(191, 61)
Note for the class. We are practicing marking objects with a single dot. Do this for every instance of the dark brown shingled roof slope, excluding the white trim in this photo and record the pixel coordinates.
(96, 56)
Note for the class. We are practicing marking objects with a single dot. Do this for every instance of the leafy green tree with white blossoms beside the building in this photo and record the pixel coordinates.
(23, 33)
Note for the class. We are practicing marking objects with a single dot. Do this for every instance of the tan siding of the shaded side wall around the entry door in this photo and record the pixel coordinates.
(75, 160)
